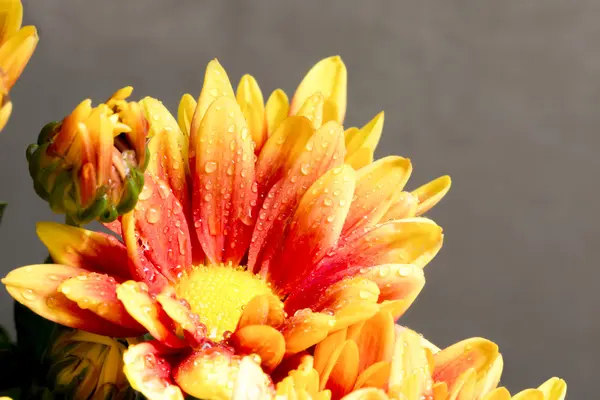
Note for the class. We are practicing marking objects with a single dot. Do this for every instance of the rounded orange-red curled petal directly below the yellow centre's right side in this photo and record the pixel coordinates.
(264, 341)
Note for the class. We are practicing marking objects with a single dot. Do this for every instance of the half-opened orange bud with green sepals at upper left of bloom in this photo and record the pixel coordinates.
(91, 165)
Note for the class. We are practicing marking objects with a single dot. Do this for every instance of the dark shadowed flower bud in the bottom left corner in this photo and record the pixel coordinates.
(83, 365)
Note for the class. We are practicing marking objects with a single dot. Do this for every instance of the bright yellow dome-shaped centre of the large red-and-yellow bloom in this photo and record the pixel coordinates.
(218, 294)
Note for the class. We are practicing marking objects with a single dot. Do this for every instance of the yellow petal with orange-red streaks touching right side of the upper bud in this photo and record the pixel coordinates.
(168, 147)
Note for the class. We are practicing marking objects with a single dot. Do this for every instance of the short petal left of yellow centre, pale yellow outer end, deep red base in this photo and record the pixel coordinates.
(148, 312)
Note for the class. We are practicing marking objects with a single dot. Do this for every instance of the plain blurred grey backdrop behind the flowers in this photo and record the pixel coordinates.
(502, 95)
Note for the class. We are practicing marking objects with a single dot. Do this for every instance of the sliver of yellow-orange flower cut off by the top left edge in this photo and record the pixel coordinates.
(16, 48)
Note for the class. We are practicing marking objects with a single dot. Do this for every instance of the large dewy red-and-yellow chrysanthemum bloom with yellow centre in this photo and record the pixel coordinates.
(260, 230)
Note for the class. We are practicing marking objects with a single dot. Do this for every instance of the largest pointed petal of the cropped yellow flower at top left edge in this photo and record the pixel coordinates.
(16, 52)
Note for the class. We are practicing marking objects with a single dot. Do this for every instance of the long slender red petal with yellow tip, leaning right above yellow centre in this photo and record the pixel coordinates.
(324, 151)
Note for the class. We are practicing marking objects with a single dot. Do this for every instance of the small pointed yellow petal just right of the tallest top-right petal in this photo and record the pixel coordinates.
(361, 143)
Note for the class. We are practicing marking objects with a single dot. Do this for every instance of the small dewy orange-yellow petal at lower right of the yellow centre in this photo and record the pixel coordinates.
(304, 329)
